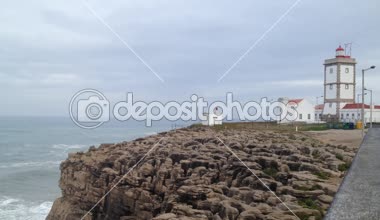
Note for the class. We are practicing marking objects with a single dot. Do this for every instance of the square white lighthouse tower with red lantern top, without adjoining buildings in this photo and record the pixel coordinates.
(339, 84)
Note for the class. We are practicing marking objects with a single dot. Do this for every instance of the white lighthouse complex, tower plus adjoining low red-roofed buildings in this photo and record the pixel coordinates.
(339, 92)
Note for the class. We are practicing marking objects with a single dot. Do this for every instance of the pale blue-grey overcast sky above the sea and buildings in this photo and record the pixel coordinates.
(51, 49)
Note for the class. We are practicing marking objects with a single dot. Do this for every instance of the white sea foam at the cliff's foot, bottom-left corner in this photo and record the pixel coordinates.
(14, 209)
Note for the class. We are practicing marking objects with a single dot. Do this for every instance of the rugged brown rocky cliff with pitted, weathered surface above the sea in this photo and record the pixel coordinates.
(190, 174)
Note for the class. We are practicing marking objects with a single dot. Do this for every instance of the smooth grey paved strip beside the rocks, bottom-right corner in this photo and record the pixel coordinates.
(359, 195)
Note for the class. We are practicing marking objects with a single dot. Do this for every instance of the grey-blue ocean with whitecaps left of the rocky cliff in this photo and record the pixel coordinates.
(31, 149)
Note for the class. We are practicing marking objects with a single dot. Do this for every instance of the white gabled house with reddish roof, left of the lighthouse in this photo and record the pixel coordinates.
(304, 108)
